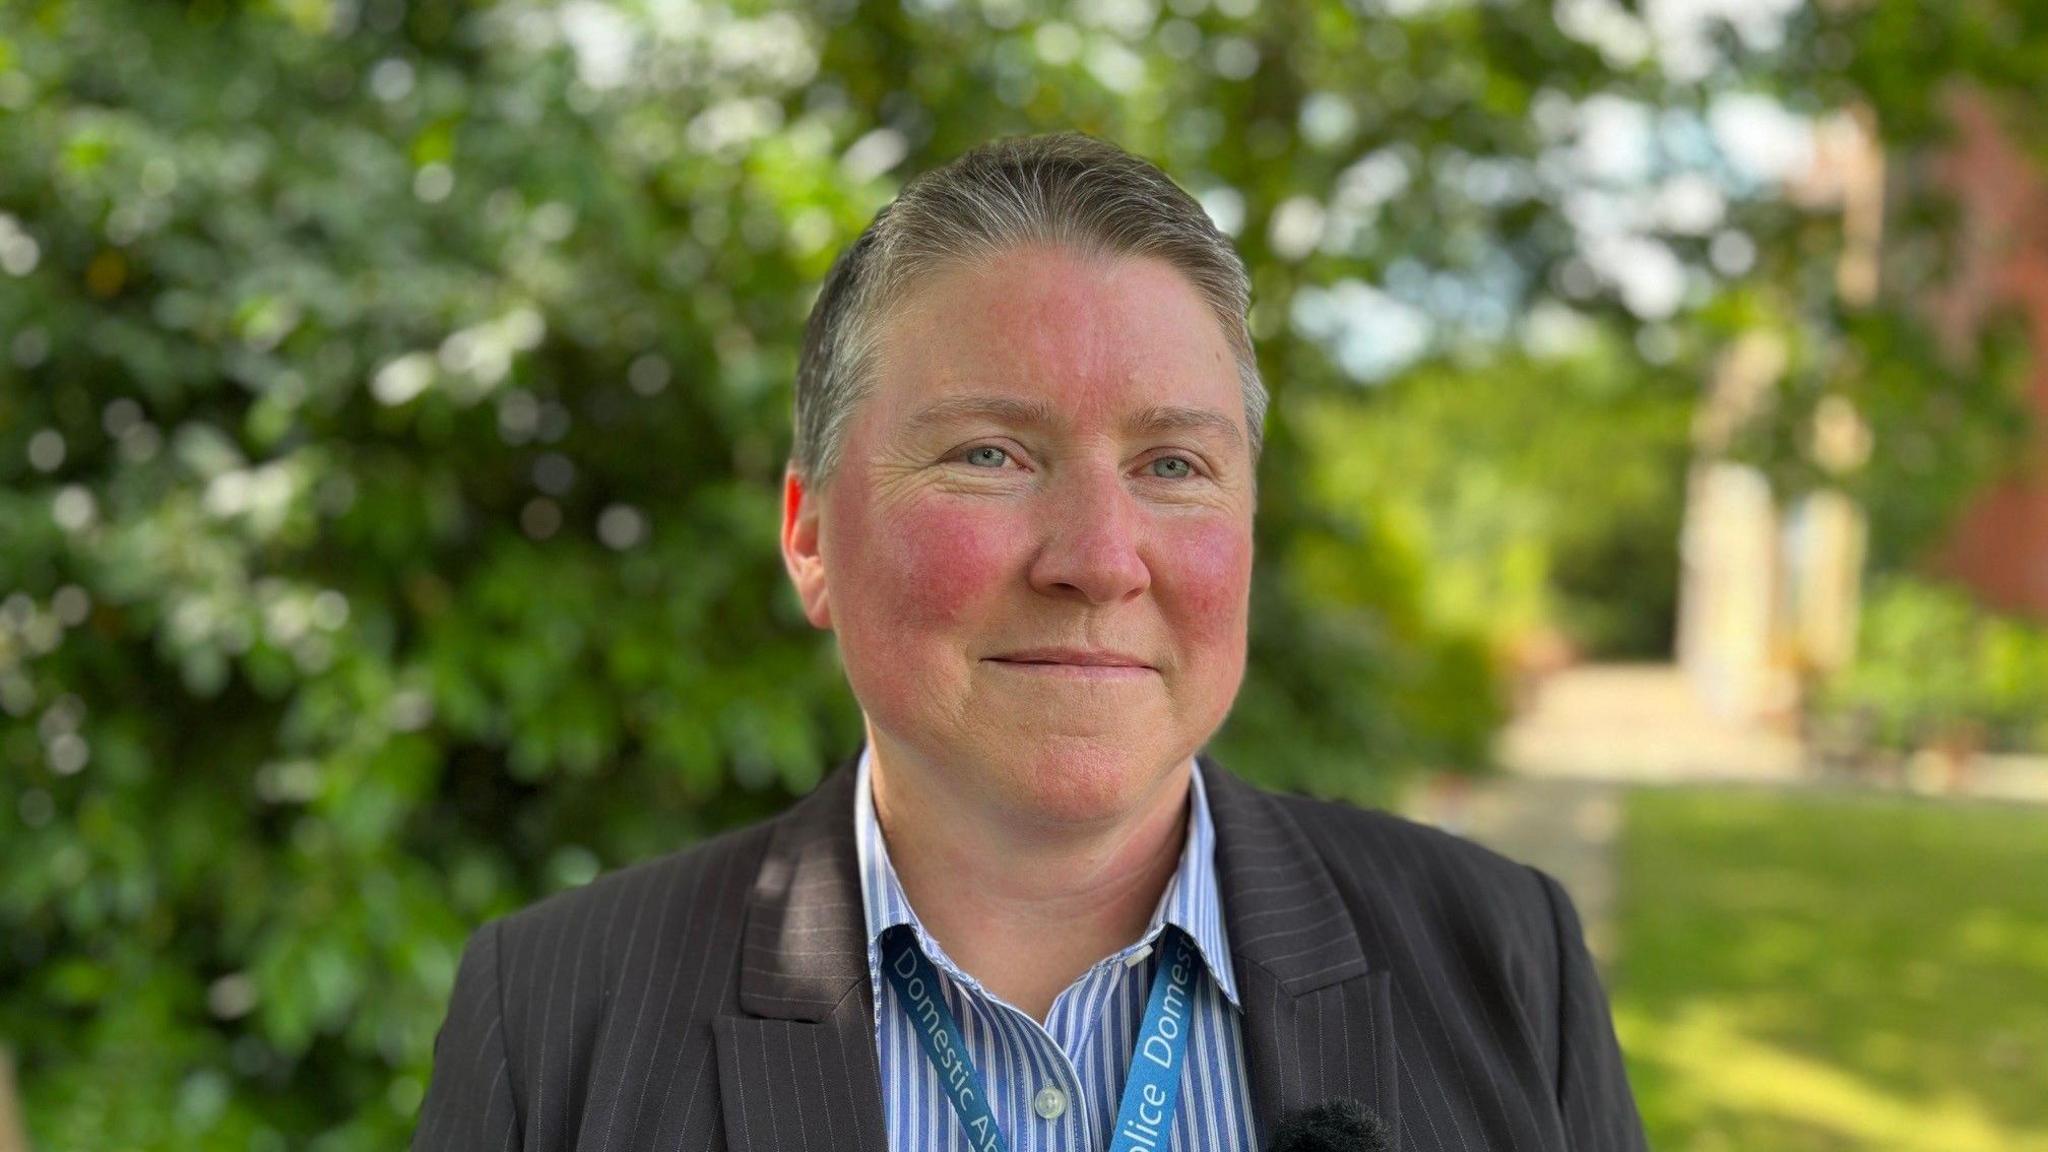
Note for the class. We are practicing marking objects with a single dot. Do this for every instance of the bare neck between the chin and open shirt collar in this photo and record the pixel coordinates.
(1025, 905)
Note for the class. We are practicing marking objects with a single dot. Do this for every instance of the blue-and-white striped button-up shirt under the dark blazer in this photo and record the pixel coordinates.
(1056, 1087)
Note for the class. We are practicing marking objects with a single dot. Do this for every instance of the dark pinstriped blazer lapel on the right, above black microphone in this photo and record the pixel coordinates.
(1318, 1018)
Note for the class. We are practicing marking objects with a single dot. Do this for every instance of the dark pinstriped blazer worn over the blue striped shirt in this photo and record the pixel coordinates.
(720, 997)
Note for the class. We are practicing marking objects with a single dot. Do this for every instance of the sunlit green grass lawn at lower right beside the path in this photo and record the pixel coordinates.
(1830, 973)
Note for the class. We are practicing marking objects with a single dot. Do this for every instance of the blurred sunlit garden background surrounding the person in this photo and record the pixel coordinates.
(394, 399)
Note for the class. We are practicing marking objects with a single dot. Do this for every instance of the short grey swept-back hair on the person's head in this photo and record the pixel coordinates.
(1064, 190)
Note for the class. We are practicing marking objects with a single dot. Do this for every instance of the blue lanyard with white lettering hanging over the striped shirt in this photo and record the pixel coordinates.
(1150, 1092)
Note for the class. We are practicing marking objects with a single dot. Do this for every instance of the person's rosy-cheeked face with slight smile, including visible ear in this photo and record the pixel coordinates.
(1037, 546)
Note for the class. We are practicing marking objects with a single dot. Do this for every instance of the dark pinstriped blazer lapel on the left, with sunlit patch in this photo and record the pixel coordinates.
(798, 1063)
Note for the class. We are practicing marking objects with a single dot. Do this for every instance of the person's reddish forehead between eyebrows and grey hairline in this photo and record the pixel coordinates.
(1093, 337)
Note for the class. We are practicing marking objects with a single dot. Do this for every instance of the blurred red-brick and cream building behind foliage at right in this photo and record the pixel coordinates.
(1770, 589)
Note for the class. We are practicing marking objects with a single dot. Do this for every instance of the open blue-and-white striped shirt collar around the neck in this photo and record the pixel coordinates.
(1193, 899)
